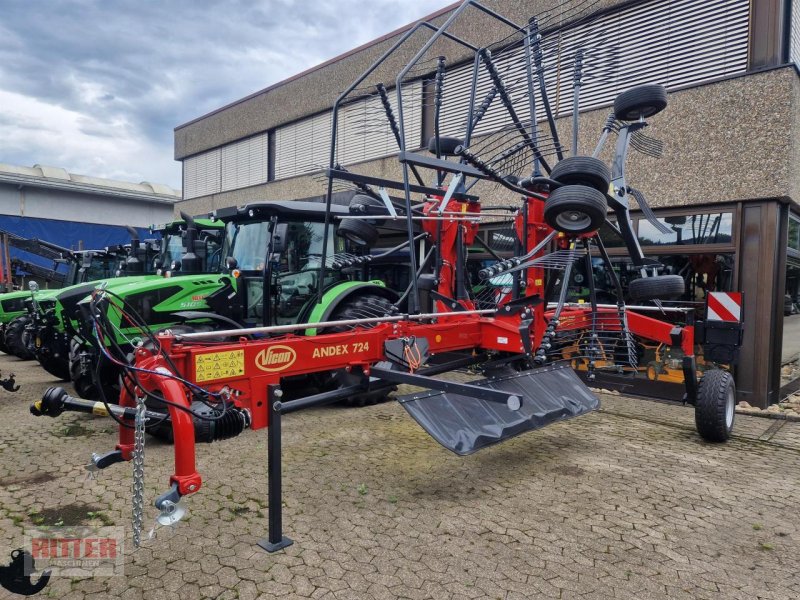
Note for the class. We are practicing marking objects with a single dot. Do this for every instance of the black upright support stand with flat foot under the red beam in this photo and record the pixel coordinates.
(275, 539)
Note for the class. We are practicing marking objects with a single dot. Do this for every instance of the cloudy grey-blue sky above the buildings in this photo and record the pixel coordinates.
(97, 86)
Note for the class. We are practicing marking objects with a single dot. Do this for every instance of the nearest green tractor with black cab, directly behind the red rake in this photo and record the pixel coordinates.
(270, 274)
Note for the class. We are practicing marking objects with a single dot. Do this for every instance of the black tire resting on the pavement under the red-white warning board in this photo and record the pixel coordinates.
(715, 410)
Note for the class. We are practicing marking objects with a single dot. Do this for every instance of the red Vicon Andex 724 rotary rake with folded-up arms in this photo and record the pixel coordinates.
(216, 384)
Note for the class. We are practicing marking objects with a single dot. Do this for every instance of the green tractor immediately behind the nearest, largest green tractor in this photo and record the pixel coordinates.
(51, 319)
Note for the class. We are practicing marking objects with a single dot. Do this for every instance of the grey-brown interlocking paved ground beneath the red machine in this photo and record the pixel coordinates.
(623, 503)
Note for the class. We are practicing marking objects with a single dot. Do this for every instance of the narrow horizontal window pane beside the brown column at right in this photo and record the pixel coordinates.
(712, 228)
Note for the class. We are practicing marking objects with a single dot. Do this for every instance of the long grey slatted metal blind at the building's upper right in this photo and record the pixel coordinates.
(672, 42)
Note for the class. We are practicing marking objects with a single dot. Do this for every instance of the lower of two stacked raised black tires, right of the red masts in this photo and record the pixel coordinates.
(575, 209)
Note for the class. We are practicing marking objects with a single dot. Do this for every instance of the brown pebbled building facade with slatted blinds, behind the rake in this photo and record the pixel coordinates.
(728, 183)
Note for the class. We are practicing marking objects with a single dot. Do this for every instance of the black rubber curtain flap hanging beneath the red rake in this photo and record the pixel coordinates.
(465, 424)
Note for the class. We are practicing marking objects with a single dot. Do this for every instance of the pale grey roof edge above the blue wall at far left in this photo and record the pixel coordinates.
(87, 208)
